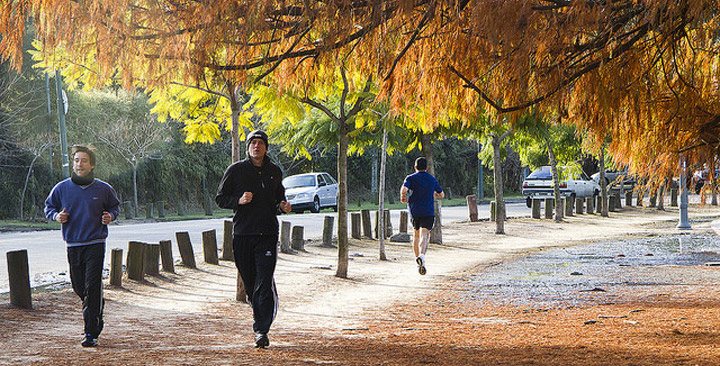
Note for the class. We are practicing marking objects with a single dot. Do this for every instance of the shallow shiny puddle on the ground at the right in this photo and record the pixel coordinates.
(592, 274)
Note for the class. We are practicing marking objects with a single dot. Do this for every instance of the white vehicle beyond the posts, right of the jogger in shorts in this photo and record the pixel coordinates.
(539, 184)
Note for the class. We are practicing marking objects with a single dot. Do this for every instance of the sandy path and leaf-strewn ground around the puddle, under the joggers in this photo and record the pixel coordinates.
(384, 312)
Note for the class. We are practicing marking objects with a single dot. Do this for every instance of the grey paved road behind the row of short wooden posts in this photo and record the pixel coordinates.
(47, 255)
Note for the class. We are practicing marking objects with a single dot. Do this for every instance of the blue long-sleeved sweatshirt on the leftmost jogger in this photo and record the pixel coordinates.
(85, 206)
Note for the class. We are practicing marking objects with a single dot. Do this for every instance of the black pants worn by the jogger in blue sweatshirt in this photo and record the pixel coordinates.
(86, 264)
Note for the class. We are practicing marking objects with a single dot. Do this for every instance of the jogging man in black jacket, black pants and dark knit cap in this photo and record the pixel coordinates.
(253, 189)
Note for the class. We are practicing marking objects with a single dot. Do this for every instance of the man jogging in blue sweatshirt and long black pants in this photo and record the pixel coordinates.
(84, 206)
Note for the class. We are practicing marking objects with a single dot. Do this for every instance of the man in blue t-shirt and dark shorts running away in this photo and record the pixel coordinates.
(419, 191)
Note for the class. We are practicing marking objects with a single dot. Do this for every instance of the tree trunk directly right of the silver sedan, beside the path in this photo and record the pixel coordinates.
(342, 204)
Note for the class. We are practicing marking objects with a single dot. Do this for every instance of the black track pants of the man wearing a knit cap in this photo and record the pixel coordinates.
(255, 258)
